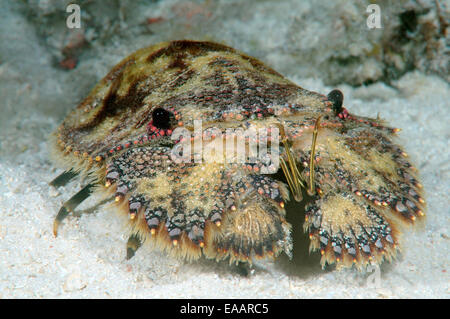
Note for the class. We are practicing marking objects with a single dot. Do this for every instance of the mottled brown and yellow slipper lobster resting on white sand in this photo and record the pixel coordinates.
(120, 139)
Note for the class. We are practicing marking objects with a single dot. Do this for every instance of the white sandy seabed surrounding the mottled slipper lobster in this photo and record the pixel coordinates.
(87, 259)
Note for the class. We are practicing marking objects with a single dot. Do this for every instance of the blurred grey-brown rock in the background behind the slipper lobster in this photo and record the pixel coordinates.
(329, 39)
